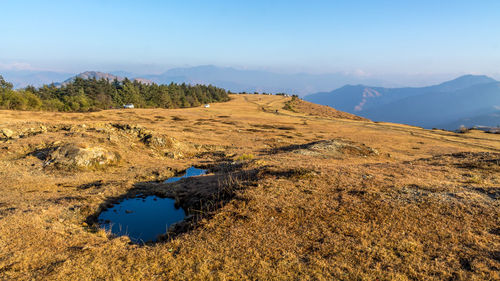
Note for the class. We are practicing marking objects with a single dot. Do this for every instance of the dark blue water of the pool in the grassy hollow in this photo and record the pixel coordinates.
(144, 218)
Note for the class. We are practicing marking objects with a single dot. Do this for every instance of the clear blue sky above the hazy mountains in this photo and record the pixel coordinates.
(316, 36)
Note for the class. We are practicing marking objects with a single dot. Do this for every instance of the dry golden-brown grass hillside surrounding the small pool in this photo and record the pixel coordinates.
(425, 206)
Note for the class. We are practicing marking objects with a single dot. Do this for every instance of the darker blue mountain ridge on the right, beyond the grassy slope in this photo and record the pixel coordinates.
(468, 100)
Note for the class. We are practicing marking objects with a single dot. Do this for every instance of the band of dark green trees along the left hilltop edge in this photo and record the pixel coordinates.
(84, 95)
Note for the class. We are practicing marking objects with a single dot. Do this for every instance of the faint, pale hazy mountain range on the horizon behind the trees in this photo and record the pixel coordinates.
(232, 79)
